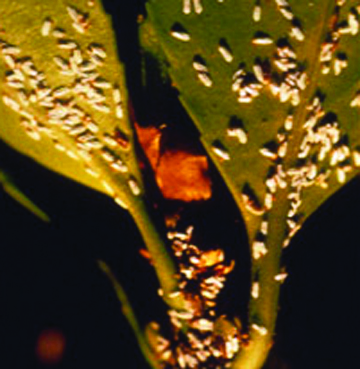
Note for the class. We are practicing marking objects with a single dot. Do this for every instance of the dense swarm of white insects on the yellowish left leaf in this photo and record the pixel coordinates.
(65, 113)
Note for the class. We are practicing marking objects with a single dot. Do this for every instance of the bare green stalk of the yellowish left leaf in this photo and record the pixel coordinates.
(161, 259)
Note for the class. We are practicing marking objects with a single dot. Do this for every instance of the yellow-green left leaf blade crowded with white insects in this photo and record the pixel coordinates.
(63, 95)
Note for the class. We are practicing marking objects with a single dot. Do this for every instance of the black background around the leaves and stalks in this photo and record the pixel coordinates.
(49, 276)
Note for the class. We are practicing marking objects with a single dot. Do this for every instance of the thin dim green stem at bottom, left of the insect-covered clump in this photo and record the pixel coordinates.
(130, 316)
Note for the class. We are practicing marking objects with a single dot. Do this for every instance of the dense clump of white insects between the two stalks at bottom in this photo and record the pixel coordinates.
(206, 343)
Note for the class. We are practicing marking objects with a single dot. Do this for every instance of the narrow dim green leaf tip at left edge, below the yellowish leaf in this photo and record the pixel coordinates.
(12, 190)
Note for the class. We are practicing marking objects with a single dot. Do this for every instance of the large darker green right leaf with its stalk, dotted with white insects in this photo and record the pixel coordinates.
(273, 89)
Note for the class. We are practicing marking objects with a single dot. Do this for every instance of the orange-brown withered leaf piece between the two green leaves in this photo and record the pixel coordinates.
(179, 173)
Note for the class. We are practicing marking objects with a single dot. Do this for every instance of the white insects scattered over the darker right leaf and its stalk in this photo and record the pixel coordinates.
(324, 150)
